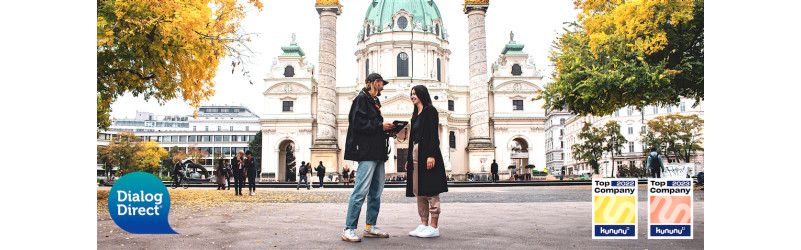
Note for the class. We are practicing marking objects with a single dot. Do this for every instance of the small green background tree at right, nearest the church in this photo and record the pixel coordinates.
(592, 148)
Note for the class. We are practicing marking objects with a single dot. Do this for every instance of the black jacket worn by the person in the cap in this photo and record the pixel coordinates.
(366, 140)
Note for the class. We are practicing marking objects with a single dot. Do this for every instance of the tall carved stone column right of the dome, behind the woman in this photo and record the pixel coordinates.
(479, 146)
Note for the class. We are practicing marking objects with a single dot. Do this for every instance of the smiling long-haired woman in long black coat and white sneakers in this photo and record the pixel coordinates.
(426, 172)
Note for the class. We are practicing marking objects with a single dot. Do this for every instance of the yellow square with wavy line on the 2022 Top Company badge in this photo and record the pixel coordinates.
(614, 209)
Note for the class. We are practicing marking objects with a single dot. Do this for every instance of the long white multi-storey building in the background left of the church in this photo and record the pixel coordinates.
(217, 129)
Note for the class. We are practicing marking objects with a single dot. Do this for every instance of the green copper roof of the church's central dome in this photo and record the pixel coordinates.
(380, 12)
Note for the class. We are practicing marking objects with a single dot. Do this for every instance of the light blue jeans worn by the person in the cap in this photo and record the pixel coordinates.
(369, 184)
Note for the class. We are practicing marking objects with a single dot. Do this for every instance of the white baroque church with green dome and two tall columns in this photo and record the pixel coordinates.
(490, 117)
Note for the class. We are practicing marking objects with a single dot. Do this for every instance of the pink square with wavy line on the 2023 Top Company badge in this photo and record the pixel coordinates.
(670, 209)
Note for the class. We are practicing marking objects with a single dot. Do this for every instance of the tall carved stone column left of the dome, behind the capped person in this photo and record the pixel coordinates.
(325, 145)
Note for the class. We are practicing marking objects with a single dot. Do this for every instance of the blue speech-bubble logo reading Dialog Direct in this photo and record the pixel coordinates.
(139, 203)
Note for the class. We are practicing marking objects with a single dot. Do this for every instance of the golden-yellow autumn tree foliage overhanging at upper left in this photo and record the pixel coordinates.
(165, 49)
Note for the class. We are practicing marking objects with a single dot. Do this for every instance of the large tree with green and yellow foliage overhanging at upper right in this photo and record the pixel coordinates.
(628, 53)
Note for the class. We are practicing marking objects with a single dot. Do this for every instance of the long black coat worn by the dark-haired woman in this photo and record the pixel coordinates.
(432, 181)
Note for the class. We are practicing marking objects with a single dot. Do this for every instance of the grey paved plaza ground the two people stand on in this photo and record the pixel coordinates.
(472, 217)
